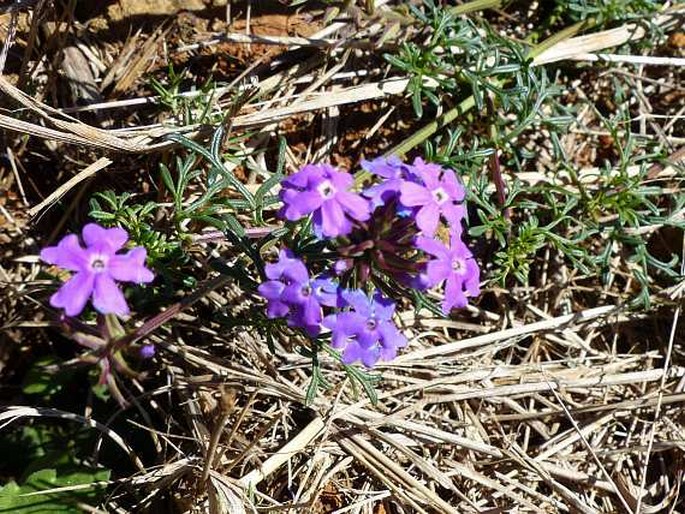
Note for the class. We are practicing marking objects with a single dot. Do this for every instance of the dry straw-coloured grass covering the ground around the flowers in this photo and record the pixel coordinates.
(548, 399)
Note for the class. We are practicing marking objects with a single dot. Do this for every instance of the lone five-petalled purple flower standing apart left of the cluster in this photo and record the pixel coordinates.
(96, 267)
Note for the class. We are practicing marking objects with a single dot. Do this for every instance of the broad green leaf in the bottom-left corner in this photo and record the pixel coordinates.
(48, 490)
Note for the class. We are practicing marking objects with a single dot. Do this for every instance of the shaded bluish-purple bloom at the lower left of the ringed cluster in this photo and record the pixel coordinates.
(291, 293)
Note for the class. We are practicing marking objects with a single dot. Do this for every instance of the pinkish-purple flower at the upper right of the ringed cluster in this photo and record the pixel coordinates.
(440, 193)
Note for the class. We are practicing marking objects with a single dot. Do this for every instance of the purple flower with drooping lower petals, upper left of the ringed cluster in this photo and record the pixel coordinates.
(322, 190)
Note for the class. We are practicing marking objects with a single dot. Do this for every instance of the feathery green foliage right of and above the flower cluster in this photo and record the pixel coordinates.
(594, 229)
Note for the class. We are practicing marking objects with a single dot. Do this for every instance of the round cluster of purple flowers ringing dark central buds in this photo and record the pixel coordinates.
(405, 226)
